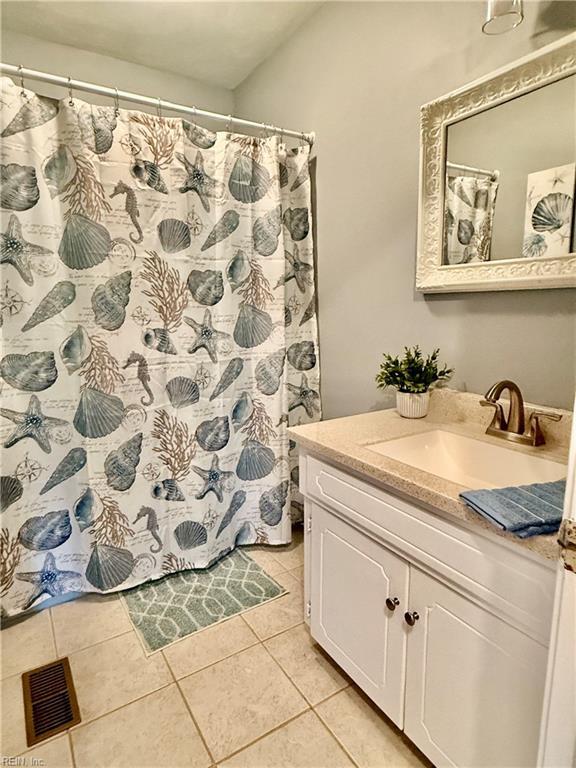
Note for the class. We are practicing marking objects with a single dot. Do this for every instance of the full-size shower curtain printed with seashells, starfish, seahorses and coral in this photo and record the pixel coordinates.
(158, 336)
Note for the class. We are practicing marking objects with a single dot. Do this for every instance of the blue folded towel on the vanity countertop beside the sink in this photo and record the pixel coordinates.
(525, 510)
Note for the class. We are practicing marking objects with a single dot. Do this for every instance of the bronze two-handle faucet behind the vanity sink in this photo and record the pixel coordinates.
(512, 425)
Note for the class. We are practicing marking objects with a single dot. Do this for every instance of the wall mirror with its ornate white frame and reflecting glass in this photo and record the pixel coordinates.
(498, 179)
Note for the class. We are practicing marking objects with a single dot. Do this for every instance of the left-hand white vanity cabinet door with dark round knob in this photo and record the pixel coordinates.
(351, 577)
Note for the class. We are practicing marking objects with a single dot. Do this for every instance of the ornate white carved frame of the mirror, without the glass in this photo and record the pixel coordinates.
(545, 66)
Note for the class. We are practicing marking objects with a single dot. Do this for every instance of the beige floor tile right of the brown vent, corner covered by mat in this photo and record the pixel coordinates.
(114, 673)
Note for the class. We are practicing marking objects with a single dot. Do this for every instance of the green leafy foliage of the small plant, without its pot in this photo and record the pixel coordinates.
(412, 372)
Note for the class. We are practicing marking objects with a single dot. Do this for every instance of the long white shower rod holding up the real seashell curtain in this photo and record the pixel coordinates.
(116, 94)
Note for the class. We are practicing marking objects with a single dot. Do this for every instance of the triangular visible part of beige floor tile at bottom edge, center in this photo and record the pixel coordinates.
(302, 743)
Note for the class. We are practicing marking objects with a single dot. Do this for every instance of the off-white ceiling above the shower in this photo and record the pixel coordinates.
(219, 43)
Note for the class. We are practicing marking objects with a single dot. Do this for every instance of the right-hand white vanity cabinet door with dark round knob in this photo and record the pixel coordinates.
(474, 684)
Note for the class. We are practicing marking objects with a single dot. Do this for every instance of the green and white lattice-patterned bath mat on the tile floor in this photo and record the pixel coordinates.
(177, 605)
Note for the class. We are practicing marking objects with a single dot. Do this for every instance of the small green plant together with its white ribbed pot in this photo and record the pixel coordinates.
(412, 376)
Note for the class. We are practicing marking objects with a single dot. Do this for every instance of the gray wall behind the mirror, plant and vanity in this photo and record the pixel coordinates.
(357, 73)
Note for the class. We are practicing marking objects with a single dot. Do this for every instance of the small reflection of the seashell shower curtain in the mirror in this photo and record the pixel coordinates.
(470, 203)
